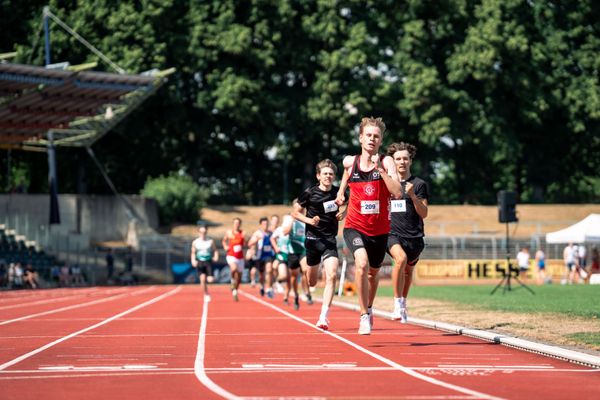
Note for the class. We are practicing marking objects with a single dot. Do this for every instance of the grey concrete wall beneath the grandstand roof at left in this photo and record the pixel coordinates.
(101, 218)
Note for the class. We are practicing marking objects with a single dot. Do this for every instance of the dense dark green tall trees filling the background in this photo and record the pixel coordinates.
(496, 94)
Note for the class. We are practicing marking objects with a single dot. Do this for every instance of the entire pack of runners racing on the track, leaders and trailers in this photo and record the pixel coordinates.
(383, 214)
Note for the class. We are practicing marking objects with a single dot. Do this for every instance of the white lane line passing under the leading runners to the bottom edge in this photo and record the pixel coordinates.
(384, 360)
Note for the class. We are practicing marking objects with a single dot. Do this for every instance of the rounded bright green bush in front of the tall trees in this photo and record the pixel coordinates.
(179, 198)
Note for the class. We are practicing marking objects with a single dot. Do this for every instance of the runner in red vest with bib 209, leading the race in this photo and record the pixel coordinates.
(372, 178)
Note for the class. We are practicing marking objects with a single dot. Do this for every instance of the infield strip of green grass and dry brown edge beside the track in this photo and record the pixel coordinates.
(562, 315)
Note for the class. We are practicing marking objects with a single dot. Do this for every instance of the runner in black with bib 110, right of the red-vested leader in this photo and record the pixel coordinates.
(405, 241)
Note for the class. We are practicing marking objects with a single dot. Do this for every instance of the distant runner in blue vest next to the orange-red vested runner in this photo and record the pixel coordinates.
(264, 256)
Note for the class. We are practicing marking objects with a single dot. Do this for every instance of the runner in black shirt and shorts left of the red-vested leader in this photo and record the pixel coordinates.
(316, 207)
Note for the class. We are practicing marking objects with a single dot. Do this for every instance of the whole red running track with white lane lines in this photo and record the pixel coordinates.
(163, 342)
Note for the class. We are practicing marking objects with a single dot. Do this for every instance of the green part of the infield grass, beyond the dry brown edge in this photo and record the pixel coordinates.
(571, 300)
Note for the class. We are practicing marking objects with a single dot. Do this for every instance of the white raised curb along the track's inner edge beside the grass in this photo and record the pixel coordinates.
(527, 345)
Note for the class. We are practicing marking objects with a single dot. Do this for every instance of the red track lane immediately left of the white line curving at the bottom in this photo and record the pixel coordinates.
(146, 354)
